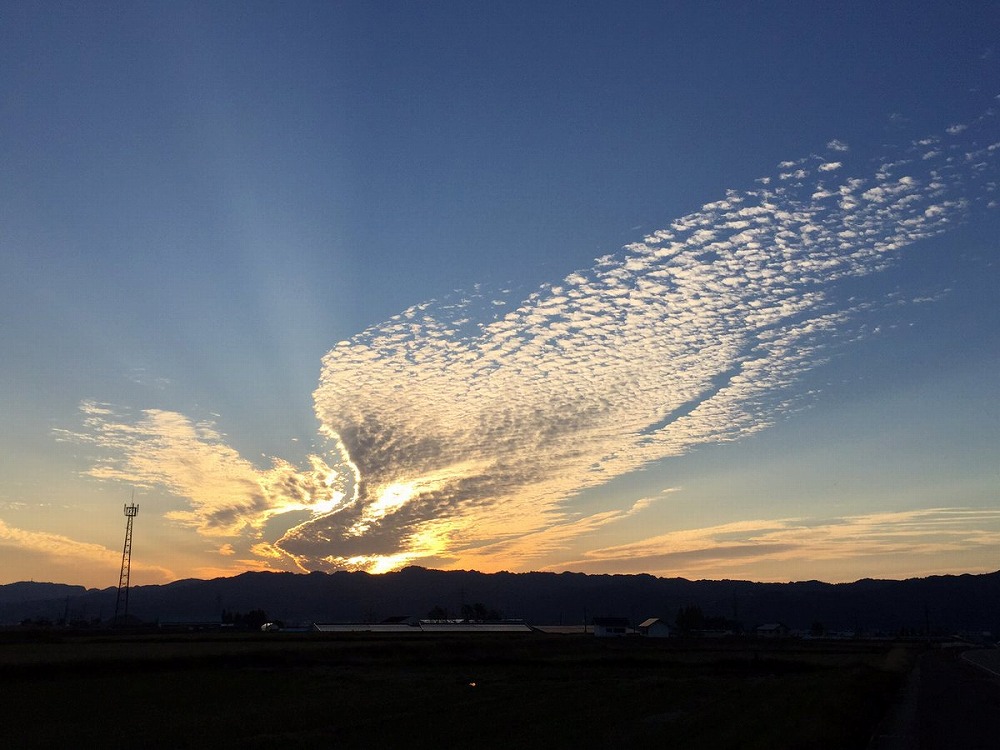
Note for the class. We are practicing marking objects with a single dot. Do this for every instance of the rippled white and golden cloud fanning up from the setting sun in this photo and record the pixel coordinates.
(462, 429)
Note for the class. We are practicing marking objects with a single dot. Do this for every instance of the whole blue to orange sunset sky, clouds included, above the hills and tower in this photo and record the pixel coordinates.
(690, 289)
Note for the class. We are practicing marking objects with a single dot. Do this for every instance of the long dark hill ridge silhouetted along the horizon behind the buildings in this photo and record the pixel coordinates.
(945, 603)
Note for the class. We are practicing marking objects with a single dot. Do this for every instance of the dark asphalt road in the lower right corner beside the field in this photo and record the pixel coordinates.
(948, 703)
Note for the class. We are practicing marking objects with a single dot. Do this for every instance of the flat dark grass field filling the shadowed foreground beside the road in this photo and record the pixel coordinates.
(422, 691)
